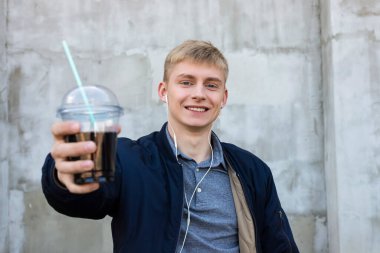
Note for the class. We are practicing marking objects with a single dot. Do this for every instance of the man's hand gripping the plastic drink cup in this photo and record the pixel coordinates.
(62, 150)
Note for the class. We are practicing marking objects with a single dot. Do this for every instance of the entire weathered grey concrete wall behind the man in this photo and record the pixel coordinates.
(304, 95)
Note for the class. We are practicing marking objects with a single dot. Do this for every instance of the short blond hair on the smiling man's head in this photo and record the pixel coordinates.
(197, 51)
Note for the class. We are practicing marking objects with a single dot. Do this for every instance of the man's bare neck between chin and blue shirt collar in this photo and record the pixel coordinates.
(192, 143)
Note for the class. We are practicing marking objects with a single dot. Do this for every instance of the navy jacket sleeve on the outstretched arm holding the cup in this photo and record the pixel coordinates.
(94, 205)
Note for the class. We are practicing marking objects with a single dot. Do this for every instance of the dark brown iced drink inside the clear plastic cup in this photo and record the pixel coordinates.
(103, 157)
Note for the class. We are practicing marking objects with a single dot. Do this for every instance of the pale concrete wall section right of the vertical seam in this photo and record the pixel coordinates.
(351, 53)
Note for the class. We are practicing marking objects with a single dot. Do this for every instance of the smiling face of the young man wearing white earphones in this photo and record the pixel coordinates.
(195, 94)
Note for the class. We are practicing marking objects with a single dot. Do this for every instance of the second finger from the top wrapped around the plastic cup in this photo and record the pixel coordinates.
(73, 149)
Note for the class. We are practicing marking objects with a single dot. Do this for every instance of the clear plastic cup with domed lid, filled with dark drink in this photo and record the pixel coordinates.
(99, 119)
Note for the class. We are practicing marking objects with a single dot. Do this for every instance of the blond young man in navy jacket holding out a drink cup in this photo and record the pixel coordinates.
(180, 189)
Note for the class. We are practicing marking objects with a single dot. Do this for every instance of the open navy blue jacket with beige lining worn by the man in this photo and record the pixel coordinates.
(146, 198)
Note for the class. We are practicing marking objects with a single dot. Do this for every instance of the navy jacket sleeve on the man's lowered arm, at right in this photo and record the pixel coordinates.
(277, 235)
